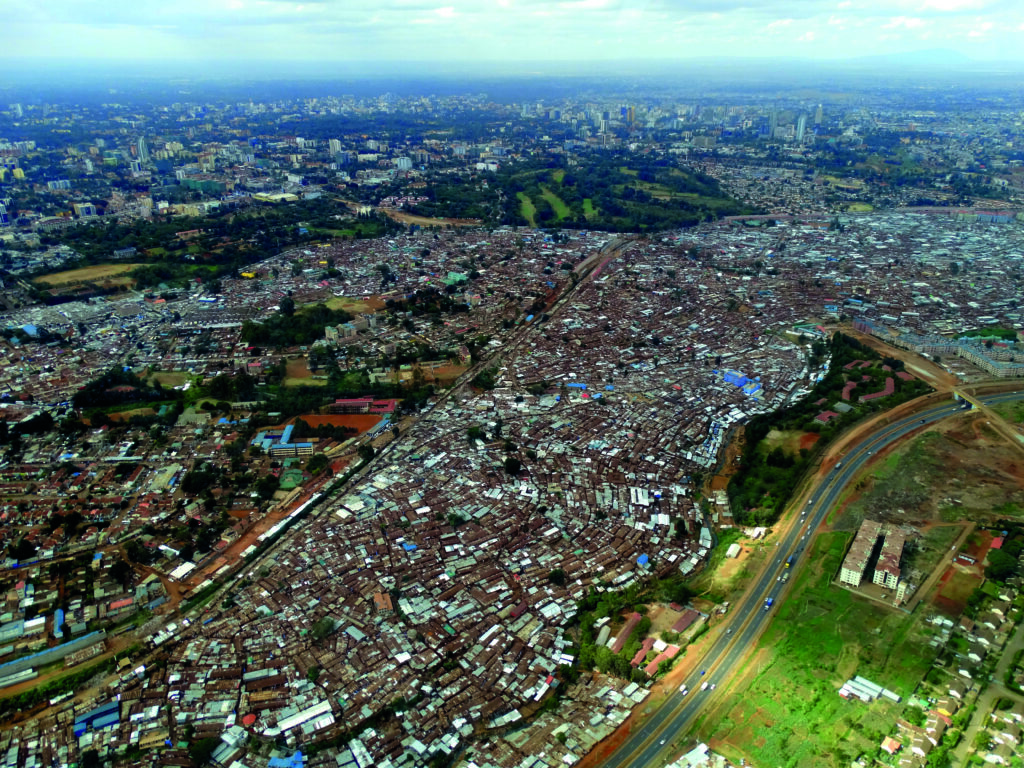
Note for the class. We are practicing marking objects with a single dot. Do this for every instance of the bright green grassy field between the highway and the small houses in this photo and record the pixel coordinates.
(788, 711)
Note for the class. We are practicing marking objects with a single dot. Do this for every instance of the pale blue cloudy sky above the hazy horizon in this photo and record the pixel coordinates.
(506, 31)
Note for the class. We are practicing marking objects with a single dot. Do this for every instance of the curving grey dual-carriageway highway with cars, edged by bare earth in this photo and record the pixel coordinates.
(651, 746)
